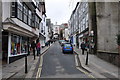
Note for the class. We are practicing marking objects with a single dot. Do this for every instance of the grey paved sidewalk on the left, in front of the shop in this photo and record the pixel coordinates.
(17, 68)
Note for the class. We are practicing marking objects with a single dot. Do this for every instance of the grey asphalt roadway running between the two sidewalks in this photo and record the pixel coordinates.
(59, 65)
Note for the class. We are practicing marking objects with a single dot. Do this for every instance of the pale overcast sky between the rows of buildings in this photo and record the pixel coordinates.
(59, 10)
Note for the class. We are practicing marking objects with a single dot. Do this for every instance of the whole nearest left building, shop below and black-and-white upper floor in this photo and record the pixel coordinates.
(21, 23)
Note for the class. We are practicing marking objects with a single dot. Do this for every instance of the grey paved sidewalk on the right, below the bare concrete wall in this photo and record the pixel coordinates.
(98, 67)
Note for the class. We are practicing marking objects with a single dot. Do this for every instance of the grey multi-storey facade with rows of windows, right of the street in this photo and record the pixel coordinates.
(79, 24)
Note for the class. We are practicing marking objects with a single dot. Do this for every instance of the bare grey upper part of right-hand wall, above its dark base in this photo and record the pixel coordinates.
(107, 26)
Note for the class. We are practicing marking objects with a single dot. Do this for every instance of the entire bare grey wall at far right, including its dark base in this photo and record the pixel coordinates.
(107, 29)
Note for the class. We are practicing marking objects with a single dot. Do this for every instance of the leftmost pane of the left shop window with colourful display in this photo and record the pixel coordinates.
(15, 44)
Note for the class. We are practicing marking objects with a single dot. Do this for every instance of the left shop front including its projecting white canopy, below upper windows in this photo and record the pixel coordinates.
(16, 39)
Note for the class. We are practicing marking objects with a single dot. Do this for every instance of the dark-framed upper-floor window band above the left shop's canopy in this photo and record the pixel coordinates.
(22, 12)
